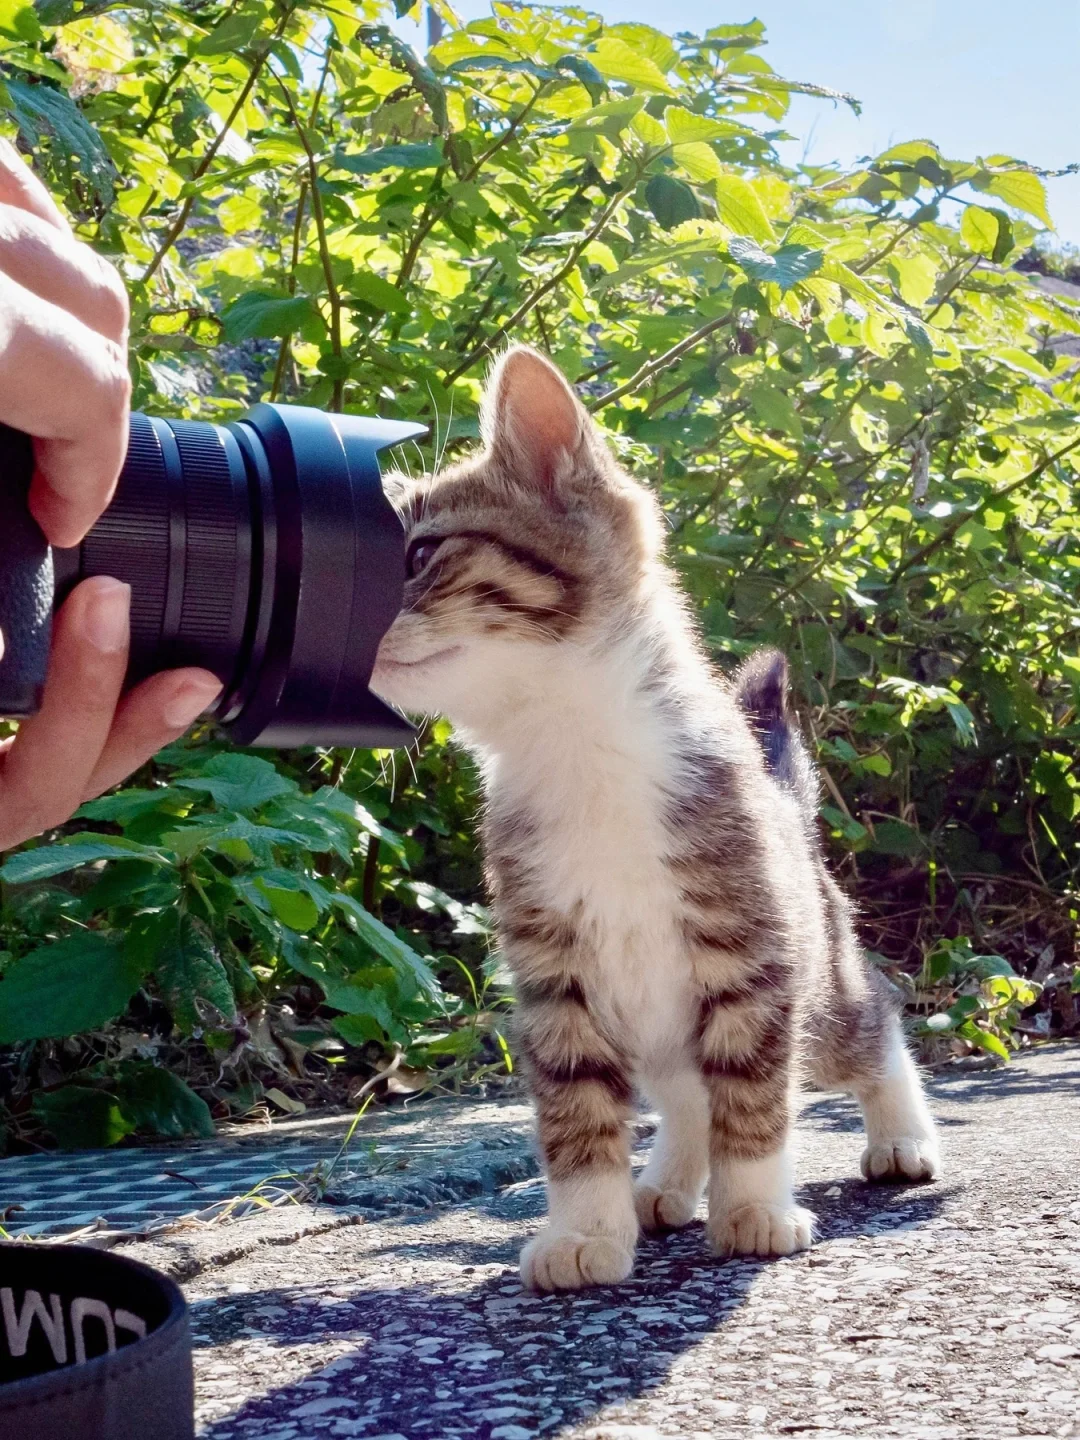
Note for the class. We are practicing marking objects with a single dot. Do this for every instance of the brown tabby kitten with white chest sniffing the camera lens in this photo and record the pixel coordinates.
(652, 850)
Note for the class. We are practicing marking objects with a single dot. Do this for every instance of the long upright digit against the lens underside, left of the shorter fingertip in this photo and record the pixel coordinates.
(50, 765)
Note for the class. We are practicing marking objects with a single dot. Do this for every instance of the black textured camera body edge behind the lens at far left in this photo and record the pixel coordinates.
(27, 584)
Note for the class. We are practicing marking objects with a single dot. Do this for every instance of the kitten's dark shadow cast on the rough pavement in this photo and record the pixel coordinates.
(440, 1363)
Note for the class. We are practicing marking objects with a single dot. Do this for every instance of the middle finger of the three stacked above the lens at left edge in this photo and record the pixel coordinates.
(57, 267)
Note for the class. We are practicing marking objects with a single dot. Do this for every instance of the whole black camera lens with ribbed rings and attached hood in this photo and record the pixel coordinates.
(266, 552)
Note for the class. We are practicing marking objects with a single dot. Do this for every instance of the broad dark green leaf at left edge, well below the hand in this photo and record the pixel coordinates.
(68, 987)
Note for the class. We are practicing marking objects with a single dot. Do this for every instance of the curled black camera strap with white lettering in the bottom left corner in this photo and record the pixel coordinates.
(93, 1347)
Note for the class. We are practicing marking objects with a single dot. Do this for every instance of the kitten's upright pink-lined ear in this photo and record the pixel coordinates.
(532, 421)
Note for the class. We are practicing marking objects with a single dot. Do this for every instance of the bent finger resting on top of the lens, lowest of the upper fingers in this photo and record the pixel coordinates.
(70, 388)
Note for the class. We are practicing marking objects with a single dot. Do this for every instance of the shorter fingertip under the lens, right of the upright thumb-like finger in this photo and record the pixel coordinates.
(152, 716)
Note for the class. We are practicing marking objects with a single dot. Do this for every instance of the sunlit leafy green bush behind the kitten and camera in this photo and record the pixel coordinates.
(865, 441)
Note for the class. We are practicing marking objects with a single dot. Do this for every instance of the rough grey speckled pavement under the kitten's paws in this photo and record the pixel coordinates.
(931, 1314)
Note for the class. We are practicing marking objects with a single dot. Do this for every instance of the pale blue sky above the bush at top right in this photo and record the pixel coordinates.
(977, 77)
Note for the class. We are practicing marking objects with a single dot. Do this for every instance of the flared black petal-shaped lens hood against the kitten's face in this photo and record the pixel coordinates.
(332, 574)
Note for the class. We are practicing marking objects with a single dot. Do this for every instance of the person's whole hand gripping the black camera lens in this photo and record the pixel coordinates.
(64, 381)
